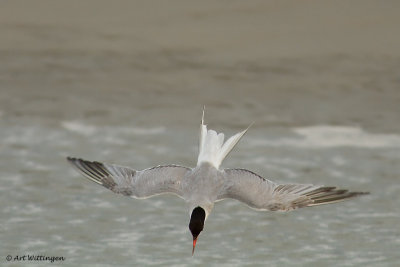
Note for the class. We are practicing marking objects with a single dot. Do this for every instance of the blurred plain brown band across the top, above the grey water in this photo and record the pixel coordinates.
(284, 59)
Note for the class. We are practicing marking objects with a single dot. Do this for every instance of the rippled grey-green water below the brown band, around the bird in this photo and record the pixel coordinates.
(49, 209)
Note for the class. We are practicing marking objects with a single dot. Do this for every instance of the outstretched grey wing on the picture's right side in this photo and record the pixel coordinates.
(262, 194)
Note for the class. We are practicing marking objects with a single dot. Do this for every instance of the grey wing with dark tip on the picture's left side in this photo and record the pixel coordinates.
(130, 182)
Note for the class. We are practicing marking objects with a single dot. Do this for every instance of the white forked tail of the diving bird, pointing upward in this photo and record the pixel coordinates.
(212, 148)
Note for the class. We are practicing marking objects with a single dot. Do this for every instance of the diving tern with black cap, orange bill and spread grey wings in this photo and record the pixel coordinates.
(205, 184)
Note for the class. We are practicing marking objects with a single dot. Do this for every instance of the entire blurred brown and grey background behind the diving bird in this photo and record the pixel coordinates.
(125, 82)
